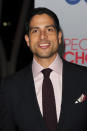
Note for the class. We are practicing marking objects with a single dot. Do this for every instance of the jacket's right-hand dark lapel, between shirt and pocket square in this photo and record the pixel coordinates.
(70, 92)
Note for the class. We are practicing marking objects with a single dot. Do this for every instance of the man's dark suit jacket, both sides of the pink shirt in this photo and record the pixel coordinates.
(20, 110)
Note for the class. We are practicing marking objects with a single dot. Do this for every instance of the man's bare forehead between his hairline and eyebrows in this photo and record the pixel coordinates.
(42, 19)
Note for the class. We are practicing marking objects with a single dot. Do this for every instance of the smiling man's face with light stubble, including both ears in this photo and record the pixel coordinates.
(43, 37)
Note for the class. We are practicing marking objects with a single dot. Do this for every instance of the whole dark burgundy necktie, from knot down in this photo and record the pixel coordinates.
(48, 101)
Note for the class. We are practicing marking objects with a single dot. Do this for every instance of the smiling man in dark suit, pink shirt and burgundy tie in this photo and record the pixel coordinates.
(23, 93)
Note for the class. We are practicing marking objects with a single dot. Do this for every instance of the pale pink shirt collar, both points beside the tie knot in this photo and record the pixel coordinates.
(56, 66)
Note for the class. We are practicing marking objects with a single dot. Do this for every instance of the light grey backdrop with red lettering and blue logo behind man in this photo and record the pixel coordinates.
(72, 15)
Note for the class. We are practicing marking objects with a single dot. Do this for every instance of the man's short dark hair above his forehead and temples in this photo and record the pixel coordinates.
(39, 11)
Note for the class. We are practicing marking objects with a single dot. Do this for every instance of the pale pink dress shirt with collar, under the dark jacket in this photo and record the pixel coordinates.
(56, 78)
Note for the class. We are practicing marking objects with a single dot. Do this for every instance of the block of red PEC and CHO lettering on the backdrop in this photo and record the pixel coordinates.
(76, 50)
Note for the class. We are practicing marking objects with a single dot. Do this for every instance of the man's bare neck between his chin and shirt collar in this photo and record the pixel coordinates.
(45, 62)
